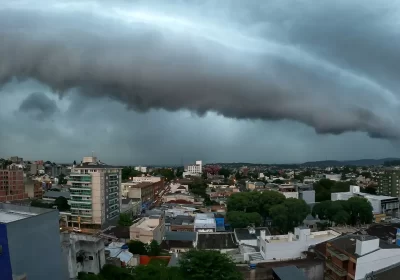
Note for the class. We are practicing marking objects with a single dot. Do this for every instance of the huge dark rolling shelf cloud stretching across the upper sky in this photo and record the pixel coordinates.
(333, 66)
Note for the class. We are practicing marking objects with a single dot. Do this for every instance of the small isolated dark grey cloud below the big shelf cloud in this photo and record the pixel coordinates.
(38, 105)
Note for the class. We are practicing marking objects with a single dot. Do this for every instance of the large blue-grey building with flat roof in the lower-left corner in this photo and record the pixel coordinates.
(30, 244)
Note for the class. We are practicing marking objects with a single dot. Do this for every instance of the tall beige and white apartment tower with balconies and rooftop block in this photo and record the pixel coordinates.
(95, 193)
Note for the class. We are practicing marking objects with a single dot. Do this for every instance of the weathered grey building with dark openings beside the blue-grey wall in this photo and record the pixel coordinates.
(82, 253)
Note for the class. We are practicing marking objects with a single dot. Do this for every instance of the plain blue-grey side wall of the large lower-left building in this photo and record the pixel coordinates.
(35, 248)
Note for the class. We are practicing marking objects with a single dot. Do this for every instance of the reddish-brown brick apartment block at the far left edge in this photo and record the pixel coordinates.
(12, 185)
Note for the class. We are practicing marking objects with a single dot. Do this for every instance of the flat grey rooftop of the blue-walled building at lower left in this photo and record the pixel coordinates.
(10, 213)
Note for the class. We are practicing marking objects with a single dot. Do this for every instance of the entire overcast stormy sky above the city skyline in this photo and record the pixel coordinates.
(165, 82)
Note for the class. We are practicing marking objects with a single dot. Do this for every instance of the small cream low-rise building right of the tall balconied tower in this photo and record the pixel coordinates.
(148, 229)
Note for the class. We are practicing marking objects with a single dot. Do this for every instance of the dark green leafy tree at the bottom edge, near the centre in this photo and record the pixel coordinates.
(204, 264)
